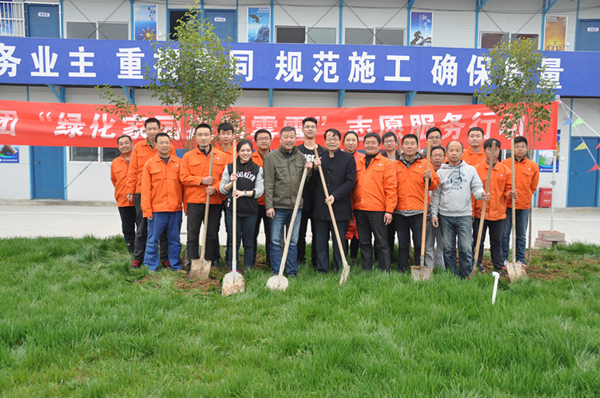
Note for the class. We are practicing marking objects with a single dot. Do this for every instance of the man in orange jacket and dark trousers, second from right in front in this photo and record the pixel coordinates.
(500, 192)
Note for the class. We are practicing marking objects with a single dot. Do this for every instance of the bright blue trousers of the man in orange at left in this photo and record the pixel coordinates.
(164, 221)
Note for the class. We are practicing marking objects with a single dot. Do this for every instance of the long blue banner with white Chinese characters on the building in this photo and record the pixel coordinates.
(287, 66)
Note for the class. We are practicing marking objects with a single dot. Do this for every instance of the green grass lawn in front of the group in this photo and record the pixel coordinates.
(74, 322)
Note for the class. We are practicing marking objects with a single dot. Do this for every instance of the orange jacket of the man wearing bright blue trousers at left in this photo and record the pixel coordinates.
(161, 188)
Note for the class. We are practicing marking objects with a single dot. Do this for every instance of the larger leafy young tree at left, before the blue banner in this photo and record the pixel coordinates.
(195, 79)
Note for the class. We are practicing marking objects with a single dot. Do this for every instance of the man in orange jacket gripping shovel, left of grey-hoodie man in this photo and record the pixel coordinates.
(411, 171)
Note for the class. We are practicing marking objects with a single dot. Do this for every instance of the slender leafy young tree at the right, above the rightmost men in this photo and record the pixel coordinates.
(519, 92)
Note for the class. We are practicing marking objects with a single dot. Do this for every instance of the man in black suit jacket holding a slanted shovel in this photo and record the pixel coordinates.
(339, 171)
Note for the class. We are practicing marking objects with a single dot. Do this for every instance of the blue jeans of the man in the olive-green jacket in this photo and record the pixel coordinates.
(283, 218)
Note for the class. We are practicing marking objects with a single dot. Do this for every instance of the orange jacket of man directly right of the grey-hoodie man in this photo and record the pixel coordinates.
(500, 188)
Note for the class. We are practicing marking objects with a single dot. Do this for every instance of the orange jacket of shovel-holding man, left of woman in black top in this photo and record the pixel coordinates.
(195, 165)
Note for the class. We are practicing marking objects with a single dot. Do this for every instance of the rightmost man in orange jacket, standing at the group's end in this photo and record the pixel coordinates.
(527, 176)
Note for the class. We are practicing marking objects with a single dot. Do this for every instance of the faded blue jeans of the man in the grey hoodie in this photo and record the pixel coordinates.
(460, 228)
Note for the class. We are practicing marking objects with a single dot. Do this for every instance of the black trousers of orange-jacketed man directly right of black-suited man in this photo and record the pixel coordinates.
(370, 223)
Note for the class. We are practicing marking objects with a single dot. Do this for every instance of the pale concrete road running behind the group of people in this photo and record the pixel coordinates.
(40, 218)
